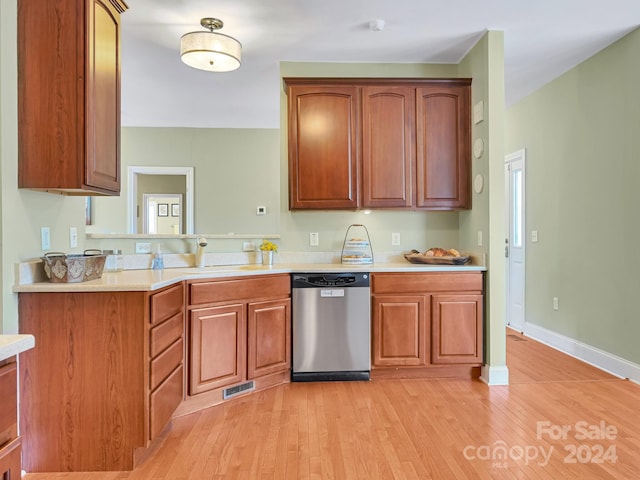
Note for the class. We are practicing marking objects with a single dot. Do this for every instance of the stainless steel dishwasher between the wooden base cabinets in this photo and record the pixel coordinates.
(331, 331)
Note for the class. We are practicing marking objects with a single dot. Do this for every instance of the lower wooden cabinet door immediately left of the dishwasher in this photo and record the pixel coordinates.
(268, 337)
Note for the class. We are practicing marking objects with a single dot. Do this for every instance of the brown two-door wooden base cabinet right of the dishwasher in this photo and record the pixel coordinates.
(427, 322)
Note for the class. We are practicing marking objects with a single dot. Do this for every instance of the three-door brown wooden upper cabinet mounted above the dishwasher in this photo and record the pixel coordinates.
(379, 143)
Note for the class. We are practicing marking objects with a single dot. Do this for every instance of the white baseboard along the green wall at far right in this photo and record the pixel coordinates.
(594, 356)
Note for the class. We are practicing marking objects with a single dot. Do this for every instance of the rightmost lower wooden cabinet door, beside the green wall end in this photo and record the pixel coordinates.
(456, 329)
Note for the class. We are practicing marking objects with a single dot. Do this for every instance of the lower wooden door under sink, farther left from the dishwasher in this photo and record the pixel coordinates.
(218, 347)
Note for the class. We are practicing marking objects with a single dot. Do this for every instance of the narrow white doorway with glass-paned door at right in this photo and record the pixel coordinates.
(515, 240)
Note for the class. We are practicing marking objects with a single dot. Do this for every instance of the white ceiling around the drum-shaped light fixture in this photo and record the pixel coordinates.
(542, 40)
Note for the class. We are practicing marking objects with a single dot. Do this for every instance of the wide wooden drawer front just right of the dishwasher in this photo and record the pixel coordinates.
(426, 282)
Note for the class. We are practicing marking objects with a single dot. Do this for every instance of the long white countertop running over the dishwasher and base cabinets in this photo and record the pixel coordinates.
(149, 280)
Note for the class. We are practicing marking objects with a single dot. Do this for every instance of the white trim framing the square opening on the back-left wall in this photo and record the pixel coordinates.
(133, 193)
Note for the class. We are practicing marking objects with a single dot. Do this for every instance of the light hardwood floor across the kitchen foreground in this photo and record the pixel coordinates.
(414, 429)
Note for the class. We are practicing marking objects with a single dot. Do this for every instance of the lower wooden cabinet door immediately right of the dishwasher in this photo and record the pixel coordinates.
(399, 335)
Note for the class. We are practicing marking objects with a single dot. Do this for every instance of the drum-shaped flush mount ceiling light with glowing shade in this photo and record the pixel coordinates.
(210, 50)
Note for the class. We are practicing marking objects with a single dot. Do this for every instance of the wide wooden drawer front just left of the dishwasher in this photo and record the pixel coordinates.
(238, 289)
